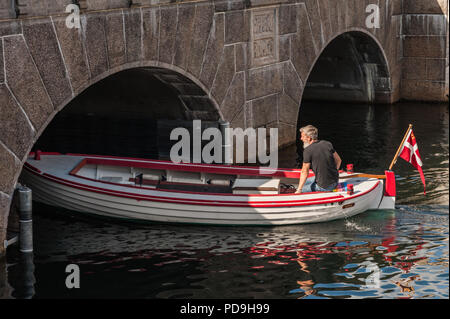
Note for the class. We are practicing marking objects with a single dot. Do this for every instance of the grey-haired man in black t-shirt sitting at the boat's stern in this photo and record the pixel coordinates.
(320, 156)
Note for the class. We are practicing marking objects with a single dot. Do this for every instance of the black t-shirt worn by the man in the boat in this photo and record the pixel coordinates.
(320, 155)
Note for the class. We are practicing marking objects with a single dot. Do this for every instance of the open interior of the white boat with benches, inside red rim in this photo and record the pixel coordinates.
(194, 180)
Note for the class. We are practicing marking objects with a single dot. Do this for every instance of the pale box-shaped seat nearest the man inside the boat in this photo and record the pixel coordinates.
(256, 186)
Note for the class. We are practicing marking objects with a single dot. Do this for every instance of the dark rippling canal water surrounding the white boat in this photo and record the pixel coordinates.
(401, 253)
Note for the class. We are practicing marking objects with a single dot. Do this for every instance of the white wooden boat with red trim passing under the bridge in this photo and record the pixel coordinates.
(163, 191)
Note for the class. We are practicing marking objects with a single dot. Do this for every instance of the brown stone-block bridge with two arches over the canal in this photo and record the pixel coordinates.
(244, 61)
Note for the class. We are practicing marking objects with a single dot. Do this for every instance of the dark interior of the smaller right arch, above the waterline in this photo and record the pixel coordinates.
(352, 68)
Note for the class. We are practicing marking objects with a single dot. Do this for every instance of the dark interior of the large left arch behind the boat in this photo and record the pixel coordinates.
(130, 113)
